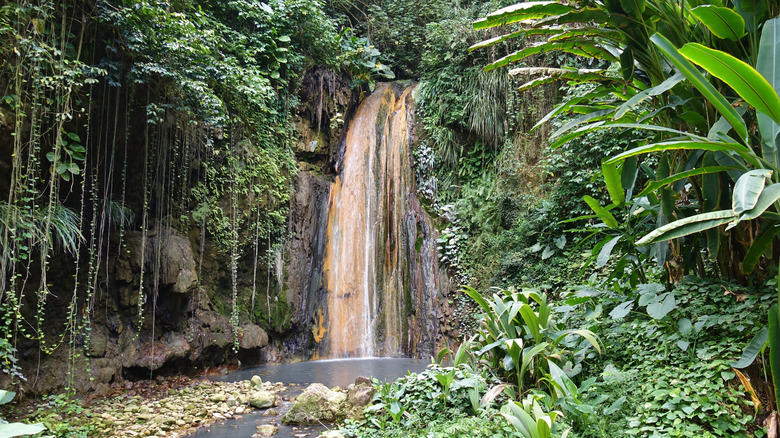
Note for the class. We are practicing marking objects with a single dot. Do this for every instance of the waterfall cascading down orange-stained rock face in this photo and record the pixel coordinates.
(380, 271)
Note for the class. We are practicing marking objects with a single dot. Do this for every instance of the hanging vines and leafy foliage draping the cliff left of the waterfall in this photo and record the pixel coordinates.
(173, 114)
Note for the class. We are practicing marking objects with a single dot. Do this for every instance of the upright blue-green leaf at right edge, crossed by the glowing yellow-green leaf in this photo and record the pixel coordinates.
(768, 64)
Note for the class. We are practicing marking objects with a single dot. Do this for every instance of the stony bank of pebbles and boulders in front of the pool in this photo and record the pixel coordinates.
(180, 407)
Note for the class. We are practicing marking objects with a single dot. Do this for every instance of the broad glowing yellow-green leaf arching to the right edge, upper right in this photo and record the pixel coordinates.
(740, 76)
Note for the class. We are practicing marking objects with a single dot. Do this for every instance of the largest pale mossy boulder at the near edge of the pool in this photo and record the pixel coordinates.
(317, 404)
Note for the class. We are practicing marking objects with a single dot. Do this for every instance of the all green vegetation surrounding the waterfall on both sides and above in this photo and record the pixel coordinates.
(619, 186)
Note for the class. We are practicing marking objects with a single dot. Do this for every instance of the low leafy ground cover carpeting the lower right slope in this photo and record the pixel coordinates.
(699, 395)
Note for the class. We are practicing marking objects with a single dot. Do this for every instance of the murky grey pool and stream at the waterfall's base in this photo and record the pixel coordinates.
(332, 372)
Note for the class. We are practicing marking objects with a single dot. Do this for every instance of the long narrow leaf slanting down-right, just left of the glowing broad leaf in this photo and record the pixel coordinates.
(702, 84)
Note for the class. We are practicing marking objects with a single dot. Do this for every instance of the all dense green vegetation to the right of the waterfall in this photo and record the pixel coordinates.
(637, 249)
